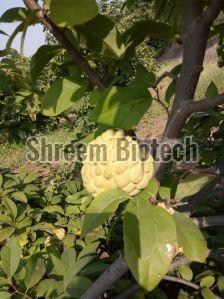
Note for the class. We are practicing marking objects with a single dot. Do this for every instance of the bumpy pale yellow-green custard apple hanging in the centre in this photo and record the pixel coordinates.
(100, 174)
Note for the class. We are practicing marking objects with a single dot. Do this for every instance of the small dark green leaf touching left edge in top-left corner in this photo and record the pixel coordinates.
(15, 14)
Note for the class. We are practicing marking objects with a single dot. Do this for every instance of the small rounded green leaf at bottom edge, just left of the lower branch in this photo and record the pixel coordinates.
(78, 286)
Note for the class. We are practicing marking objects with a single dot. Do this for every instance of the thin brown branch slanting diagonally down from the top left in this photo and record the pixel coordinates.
(59, 35)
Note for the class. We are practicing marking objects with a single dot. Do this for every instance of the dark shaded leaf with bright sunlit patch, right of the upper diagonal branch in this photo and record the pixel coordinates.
(101, 35)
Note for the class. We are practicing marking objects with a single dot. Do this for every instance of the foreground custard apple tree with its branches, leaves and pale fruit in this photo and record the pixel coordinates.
(152, 201)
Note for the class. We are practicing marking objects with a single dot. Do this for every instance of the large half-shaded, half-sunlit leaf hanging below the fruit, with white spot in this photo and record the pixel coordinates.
(149, 236)
